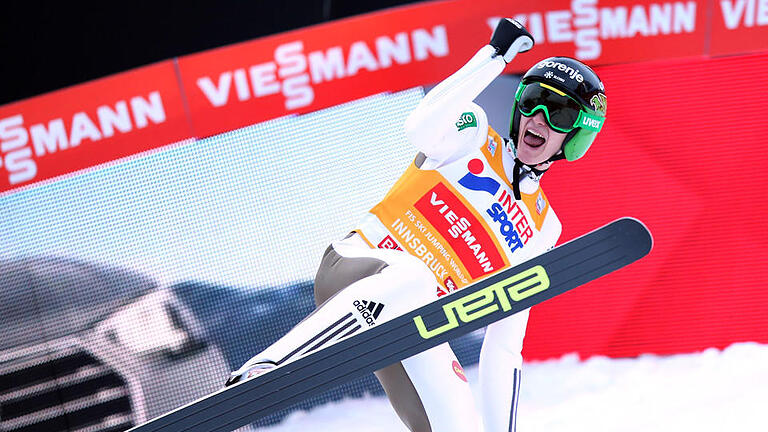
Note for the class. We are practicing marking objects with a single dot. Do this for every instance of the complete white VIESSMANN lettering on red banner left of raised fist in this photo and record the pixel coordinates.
(294, 73)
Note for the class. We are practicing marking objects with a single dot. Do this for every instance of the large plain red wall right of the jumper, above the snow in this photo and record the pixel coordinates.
(695, 174)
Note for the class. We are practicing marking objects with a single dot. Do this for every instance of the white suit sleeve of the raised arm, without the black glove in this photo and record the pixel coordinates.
(432, 127)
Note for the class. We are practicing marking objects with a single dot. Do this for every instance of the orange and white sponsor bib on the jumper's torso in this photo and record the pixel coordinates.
(461, 218)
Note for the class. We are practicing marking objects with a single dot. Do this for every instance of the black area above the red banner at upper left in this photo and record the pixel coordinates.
(45, 46)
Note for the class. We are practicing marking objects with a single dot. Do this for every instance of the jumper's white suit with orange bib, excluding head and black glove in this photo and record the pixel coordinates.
(451, 219)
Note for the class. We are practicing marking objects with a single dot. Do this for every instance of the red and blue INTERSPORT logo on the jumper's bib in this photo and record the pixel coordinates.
(513, 224)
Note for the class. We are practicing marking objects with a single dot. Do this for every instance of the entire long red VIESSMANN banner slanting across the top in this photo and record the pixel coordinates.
(325, 65)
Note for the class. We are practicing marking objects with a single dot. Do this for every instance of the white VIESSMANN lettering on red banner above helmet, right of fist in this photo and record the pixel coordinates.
(586, 24)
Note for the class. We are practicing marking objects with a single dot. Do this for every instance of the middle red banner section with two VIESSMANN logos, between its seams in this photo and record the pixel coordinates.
(322, 66)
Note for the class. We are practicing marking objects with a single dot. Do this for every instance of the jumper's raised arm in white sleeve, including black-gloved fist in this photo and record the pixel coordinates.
(434, 118)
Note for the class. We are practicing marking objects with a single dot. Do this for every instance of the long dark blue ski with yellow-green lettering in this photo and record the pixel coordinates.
(563, 268)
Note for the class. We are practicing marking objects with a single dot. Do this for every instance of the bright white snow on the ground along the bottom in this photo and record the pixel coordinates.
(712, 390)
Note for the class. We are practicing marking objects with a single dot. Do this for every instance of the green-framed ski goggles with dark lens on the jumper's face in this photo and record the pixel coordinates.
(563, 112)
